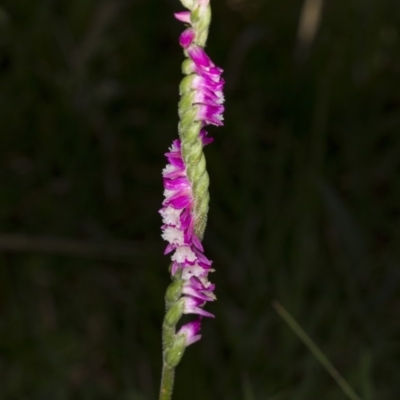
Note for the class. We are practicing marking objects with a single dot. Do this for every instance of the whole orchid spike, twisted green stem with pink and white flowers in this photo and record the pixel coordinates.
(185, 206)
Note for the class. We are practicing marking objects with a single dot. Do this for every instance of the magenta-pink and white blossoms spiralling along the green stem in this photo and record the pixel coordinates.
(178, 229)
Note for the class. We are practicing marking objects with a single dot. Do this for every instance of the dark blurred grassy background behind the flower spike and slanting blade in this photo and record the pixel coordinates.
(305, 199)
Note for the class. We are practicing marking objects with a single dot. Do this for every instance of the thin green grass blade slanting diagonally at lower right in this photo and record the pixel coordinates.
(315, 350)
